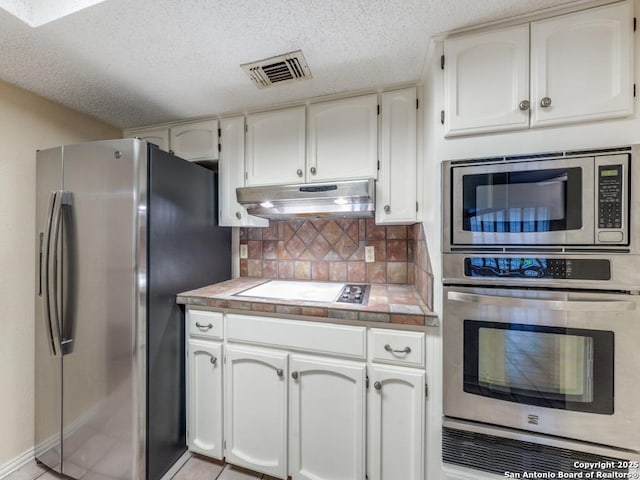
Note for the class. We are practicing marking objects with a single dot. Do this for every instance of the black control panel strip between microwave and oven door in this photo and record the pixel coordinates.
(534, 268)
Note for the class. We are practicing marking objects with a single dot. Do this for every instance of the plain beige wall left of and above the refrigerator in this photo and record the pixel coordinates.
(27, 123)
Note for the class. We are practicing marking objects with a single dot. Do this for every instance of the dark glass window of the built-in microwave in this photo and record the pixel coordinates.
(527, 201)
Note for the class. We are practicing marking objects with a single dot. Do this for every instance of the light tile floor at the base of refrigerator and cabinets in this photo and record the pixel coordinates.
(196, 468)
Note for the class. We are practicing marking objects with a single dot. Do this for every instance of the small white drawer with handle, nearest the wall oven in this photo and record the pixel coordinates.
(392, 346)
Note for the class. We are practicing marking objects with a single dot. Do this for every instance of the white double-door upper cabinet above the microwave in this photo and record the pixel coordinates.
(579, 66)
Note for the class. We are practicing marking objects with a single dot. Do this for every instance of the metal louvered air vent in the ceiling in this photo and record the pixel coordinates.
(285, 68)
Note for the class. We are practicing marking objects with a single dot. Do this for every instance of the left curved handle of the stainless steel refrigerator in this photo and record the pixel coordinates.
(59, 199)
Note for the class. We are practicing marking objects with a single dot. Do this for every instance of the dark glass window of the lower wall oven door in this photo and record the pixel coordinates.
(564, 368)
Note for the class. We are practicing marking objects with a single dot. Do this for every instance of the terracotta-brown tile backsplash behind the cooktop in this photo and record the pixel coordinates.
(334, 250)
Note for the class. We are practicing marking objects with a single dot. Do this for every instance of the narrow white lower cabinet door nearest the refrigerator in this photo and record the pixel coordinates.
(204, 398)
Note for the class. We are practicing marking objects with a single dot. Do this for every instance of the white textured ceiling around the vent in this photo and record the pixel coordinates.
(140, 62)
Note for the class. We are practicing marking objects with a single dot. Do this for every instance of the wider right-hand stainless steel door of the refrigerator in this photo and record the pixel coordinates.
(101, 399)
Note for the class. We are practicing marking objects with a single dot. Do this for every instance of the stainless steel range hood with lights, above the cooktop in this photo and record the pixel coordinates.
(353, 198)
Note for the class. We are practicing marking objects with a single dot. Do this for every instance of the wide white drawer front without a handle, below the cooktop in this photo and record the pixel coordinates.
(300, 335)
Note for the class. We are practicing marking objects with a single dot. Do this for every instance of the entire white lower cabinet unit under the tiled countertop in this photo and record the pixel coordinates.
(307, 415)
